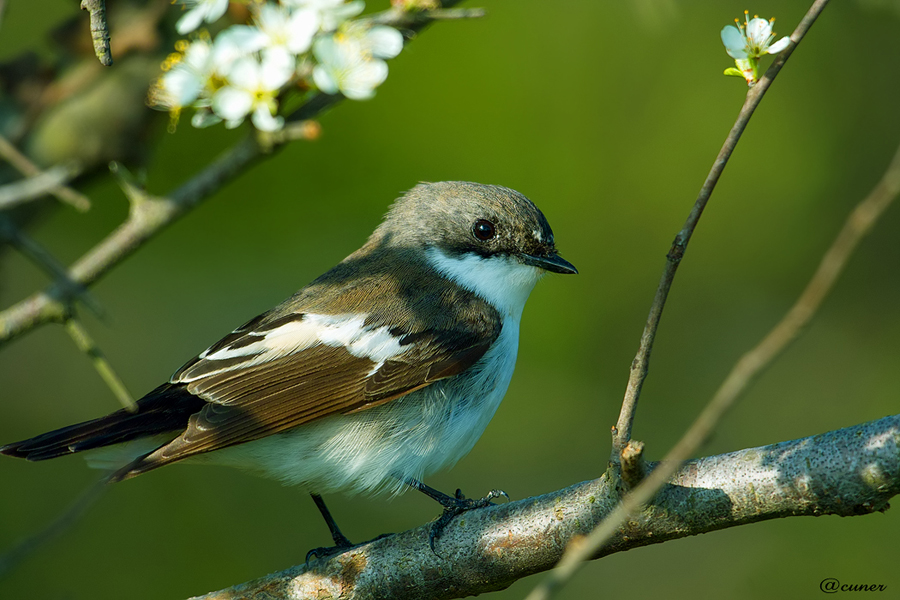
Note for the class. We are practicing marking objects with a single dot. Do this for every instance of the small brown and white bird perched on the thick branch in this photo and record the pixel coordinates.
(385, 369)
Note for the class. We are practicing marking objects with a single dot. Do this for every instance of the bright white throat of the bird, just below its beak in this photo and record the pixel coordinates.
(501, 280)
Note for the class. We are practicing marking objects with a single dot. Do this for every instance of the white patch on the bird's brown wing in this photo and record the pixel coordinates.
(347, 330)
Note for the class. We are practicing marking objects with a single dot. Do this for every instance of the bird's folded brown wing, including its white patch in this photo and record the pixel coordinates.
(264, 379)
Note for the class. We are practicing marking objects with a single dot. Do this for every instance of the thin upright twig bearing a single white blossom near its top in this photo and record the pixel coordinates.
(641, 363)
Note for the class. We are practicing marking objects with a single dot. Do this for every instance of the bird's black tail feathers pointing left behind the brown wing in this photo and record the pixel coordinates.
(166, 409)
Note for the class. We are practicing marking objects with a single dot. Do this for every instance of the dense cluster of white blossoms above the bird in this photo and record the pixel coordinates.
(245, 69)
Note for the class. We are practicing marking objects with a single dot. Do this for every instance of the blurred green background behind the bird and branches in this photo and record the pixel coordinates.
(608, 115)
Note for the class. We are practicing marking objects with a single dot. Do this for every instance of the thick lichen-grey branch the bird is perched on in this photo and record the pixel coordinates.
(851, 471)
